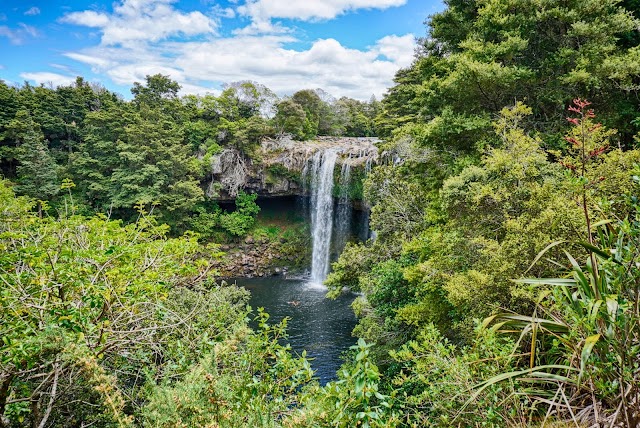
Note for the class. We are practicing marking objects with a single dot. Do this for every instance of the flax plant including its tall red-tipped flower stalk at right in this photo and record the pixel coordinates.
(584, 335)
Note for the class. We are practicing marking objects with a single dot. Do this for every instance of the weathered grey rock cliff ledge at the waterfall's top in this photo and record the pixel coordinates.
(277, 168)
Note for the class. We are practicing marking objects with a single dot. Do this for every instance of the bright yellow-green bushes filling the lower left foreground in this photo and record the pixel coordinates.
(124, 319)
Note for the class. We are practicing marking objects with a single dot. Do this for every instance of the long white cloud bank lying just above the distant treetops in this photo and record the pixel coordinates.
(326, 64)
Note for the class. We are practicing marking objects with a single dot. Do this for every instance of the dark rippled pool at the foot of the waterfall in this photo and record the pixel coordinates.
(318, 325)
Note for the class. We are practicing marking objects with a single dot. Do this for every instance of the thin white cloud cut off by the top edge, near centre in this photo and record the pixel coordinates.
(309, 9)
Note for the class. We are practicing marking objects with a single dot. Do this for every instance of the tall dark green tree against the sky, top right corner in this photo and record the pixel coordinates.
(480, 56)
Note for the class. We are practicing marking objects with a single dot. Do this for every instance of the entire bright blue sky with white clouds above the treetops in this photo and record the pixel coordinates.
(346, 47)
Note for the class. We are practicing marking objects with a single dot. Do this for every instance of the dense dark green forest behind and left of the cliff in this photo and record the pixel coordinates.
(156, 149)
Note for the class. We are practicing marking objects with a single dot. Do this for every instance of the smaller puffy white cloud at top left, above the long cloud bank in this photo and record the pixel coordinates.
(143, 20)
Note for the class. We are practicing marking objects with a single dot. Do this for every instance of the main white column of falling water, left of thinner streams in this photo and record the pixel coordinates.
(322, 166)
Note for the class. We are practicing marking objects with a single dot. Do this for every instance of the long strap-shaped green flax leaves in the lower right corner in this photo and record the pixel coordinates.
(587, 326)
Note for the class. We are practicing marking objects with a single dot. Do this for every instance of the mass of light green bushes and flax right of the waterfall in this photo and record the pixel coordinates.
(456, 258)
